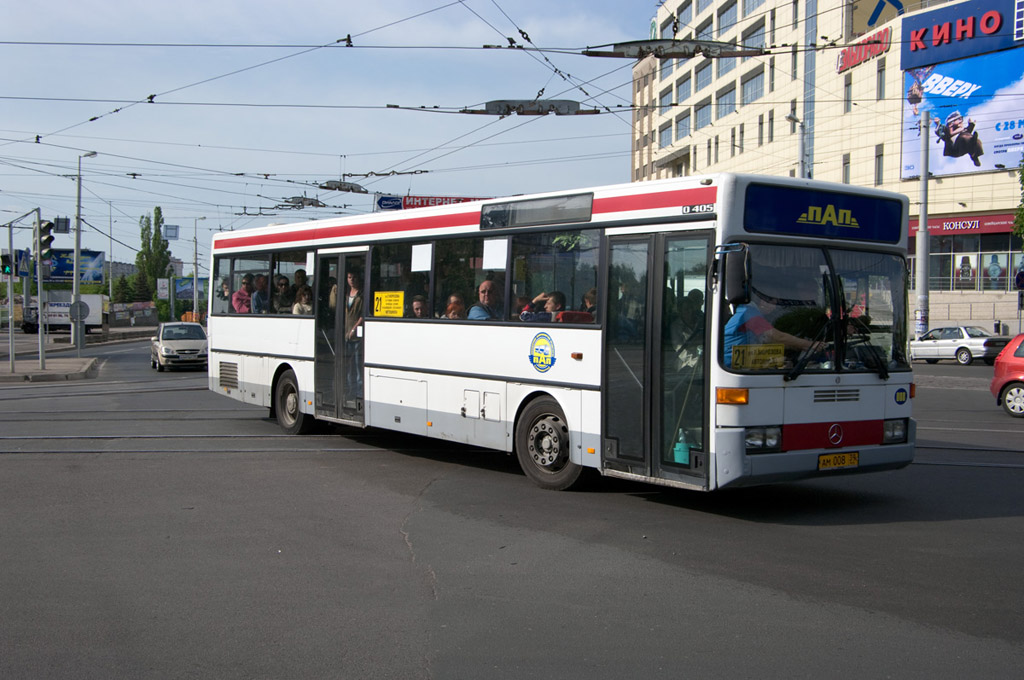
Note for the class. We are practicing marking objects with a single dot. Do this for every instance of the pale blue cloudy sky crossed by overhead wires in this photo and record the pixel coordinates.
(259, 102)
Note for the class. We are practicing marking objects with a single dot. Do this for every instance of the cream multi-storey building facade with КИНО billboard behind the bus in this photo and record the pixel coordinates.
(840, 95)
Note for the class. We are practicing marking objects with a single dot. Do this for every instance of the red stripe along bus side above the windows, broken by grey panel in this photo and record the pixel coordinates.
(691, 197)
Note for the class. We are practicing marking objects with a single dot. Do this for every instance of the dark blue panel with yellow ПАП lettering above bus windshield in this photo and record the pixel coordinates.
(806, 212)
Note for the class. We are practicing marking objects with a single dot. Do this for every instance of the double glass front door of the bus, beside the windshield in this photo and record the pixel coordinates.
(655, 391)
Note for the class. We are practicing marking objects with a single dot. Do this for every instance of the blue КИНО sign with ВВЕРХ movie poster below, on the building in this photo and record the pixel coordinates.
(963, 64)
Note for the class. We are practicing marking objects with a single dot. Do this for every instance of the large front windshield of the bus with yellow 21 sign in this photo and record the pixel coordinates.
(820, 311)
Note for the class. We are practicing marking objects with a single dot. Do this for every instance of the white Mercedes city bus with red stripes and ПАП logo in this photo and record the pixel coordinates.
(717, 331)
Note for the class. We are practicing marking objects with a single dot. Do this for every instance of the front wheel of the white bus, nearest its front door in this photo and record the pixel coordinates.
(542, 445)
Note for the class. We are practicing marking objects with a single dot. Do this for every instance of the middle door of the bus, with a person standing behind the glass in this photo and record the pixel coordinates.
(338, 358)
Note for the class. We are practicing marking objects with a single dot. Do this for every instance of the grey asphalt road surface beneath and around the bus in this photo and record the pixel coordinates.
(153, 529)
